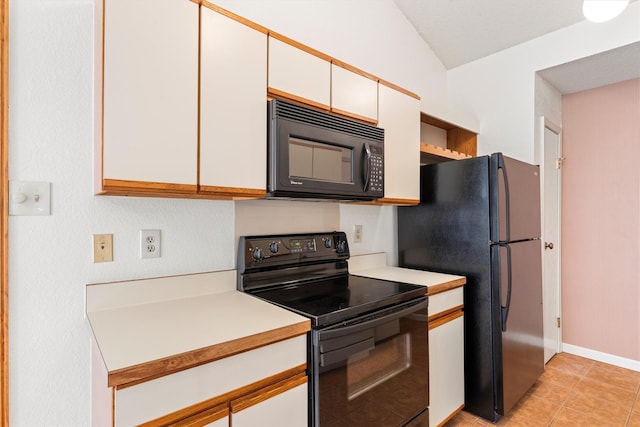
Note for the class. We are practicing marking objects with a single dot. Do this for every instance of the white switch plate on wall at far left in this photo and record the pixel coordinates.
(29, 198)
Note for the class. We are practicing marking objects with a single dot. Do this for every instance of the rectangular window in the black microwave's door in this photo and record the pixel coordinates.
(320, 161)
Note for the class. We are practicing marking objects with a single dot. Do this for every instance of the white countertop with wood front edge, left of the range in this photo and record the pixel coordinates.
(132, 335)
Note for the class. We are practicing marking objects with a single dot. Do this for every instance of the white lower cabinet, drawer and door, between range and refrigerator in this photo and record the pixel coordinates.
(446, 356)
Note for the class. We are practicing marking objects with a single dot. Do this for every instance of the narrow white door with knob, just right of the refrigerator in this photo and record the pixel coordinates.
(551, 238)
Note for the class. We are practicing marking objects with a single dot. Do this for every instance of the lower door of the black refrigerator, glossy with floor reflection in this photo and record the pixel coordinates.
(522, 337)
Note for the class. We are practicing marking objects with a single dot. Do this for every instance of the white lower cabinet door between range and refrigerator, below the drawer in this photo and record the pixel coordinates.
(446, 370)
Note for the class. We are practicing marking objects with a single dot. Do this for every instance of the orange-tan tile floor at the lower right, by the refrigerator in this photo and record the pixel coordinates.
(573, 392)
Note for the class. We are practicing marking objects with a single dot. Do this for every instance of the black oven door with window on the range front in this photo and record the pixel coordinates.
(372, 370)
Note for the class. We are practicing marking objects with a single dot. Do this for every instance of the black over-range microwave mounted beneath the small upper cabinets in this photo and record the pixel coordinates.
(315, 154)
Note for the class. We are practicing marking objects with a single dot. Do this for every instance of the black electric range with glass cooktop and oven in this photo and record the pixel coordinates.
(367, 349)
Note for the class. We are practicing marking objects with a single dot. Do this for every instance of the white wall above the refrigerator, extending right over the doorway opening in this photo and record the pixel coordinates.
(500, 89)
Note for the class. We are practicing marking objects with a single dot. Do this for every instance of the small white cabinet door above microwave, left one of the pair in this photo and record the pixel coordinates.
(297, 74)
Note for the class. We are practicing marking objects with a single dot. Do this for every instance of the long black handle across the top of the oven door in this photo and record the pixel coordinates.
(374, 319)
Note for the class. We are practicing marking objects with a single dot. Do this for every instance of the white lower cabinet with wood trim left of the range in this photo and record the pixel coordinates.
(268, 384)
